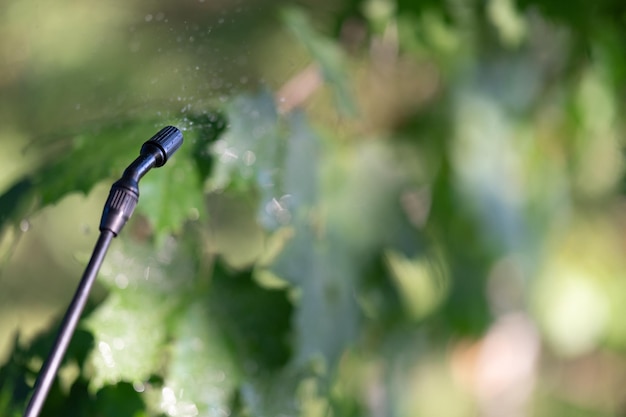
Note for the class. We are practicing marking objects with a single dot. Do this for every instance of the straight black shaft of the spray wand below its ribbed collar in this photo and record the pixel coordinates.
(72, 316)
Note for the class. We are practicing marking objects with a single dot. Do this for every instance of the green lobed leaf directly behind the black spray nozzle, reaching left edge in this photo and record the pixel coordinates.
(168, 196)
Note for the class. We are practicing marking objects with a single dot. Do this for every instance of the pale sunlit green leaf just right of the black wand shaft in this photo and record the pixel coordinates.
(131, 326)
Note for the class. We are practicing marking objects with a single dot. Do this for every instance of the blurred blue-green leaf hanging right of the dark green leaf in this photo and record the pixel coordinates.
(327, 315)
